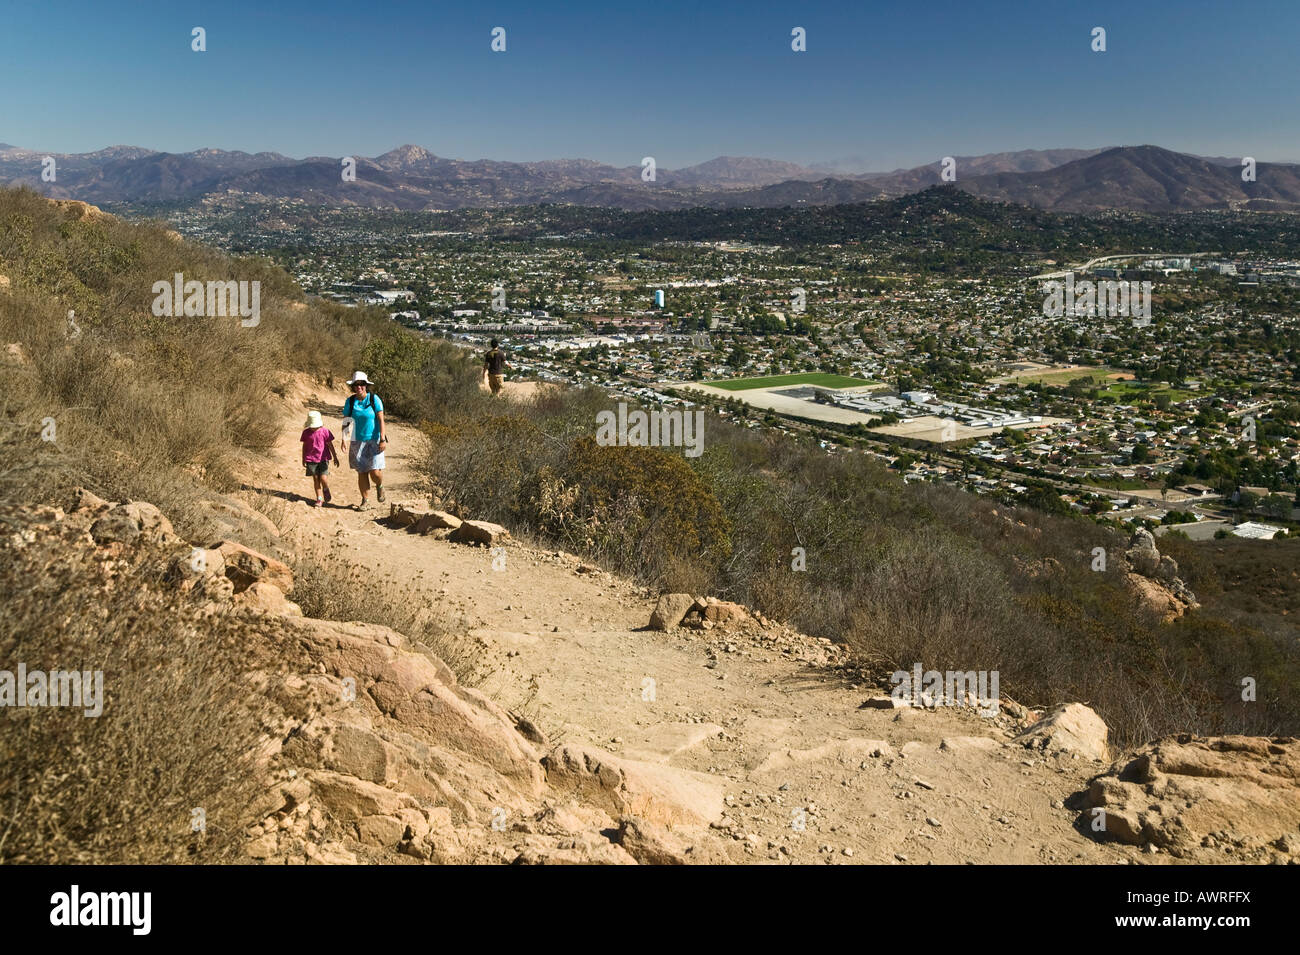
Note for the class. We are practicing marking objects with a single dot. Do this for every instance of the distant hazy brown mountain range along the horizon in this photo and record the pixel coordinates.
(1143, 179)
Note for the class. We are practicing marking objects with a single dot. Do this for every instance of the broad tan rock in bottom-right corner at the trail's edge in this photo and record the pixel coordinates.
(1216, 798)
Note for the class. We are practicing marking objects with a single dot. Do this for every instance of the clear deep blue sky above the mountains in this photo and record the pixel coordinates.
(896, 84)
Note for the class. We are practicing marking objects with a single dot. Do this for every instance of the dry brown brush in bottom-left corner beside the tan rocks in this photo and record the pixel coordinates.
(181, 720)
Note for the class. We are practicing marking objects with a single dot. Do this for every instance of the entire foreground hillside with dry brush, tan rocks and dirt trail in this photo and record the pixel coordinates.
(326, 685)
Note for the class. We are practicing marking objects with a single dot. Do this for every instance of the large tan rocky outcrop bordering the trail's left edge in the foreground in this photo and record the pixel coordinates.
(372, 749)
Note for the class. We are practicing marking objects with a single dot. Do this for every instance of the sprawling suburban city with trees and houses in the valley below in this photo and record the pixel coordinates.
(873, 345)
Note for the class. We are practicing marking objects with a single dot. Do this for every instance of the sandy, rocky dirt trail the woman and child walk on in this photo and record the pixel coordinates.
(808, 775)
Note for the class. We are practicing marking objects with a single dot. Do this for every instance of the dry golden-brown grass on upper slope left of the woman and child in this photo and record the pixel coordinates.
(144, 405)
